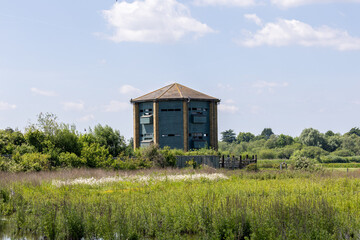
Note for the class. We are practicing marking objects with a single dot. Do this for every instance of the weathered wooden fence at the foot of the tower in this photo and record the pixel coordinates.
(229, 162)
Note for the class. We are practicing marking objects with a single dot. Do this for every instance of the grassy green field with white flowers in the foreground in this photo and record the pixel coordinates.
(181, 204)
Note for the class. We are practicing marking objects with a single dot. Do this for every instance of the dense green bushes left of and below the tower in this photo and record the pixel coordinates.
(50, 145)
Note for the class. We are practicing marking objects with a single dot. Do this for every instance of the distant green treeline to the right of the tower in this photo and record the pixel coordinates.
(325, 147)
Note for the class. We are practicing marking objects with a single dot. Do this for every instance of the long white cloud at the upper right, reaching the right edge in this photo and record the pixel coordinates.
(292, 32)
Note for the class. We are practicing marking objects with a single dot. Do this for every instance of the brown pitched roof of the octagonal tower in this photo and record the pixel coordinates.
(173, 92)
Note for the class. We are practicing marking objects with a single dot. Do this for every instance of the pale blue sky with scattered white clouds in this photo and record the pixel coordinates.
(283, 64)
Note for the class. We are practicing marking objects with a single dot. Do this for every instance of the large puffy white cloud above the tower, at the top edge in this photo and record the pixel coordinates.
(152, 21)
